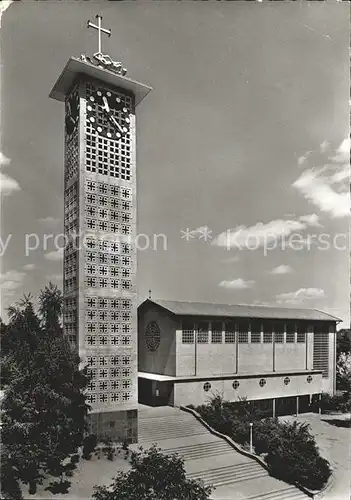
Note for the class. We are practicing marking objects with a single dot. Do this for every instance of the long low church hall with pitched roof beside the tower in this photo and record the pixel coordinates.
(282, 359)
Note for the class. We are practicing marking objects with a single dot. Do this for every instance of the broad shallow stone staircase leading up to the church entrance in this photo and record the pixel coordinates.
(209, 458)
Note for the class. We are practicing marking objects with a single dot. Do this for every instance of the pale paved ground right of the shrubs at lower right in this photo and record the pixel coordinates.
(334, 443)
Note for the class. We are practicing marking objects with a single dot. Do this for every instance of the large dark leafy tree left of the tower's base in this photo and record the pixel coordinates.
(44, 409)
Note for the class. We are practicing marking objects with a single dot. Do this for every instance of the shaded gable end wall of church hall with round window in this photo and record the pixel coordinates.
(162, 360)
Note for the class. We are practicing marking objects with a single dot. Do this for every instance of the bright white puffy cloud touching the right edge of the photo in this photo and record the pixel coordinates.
(316, 187)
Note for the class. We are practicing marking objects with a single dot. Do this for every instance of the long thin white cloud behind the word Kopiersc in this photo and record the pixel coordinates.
(261, 234)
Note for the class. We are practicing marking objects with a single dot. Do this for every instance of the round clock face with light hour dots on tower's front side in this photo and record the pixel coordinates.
(107, 114)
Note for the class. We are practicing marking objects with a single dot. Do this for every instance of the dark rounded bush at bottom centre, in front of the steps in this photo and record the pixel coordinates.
(153, 476)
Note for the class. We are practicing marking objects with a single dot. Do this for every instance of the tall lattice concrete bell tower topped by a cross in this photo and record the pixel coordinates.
(99, 270)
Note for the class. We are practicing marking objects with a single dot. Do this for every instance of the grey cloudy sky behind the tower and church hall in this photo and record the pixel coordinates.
(242, 146)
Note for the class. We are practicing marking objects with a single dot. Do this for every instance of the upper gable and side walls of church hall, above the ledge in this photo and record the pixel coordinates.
(176, 356)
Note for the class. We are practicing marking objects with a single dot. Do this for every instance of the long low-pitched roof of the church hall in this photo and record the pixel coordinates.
(240, 310)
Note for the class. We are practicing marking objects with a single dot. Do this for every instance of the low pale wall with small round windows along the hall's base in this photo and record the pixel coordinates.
(192, 392)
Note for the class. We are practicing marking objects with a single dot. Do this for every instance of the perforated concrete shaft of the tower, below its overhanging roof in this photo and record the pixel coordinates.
(100, 309)
